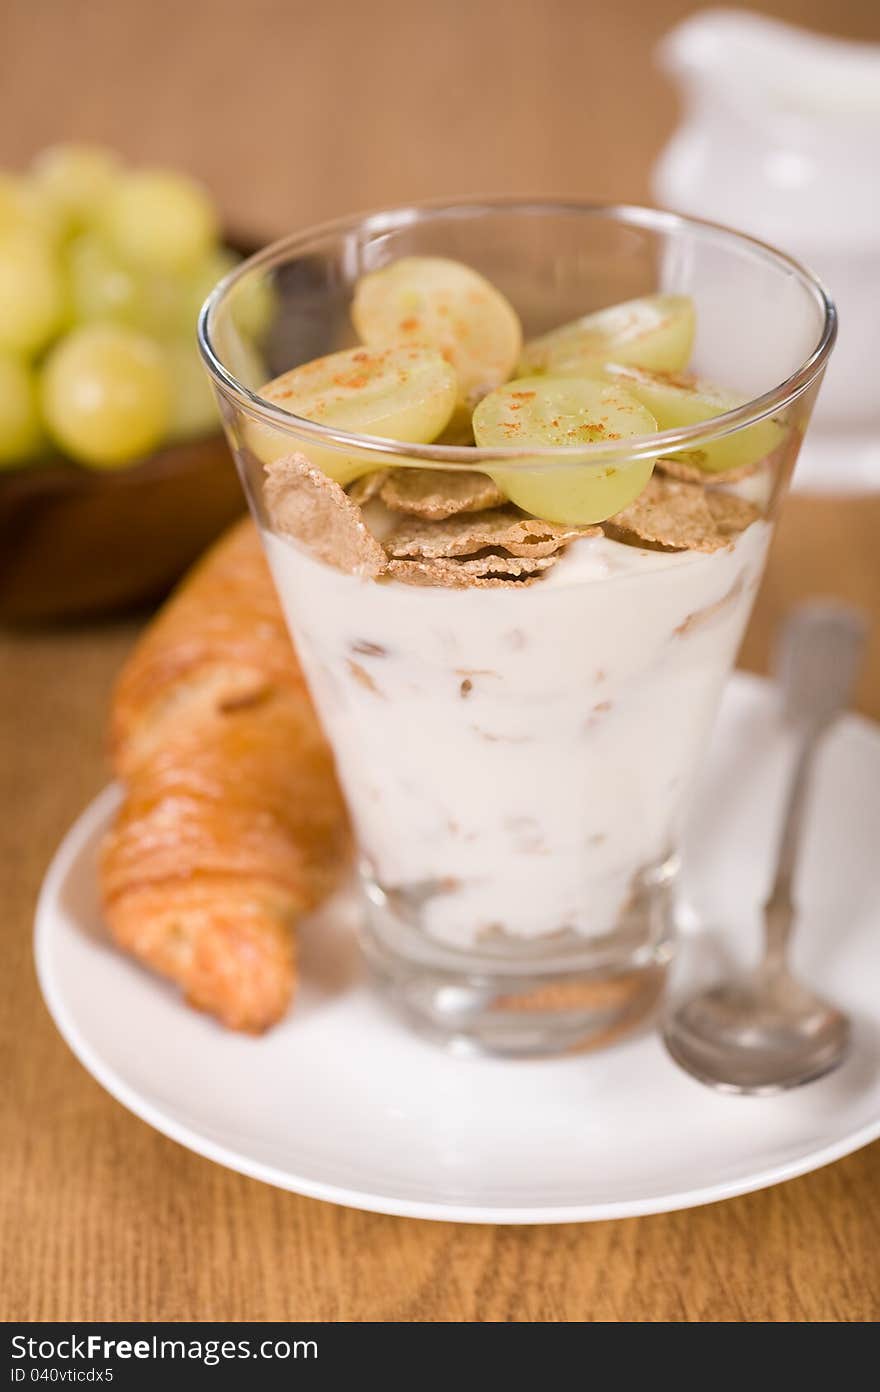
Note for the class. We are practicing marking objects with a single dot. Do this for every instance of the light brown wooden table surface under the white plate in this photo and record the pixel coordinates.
(296, 112)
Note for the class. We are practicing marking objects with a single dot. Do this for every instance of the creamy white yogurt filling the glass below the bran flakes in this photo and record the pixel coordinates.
(528, 748)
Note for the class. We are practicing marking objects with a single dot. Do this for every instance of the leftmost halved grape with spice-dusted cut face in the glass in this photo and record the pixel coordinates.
(396, 393)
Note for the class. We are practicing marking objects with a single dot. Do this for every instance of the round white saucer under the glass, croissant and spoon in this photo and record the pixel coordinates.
(343, 1103)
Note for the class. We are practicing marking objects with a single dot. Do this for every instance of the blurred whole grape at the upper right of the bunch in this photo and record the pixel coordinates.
(159, 221)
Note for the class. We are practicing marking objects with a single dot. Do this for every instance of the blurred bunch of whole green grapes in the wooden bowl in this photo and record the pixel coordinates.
(102, 275)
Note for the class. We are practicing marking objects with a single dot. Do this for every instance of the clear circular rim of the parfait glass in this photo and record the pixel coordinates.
(467, 457)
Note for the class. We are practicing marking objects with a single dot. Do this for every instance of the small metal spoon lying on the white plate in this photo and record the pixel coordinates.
(769, 1032)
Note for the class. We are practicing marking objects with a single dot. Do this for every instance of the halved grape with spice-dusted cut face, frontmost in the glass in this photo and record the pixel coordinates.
(566, 411)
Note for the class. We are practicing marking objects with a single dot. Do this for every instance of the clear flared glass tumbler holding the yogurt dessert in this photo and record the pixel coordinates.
(519, 759)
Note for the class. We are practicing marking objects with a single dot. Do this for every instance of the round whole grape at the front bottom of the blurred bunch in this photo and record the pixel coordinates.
(107, 395)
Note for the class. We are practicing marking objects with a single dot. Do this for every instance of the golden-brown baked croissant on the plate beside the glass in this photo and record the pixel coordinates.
(233, 825)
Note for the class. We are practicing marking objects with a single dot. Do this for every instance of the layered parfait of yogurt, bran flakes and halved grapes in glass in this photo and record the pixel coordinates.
(517, 569)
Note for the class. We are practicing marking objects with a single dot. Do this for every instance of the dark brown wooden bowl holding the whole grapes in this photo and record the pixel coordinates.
(80, 544)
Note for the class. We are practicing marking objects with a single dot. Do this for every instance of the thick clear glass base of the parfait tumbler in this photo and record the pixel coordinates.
(534, 1000)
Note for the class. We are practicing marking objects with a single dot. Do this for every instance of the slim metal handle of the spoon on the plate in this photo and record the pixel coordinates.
(819, 658)
